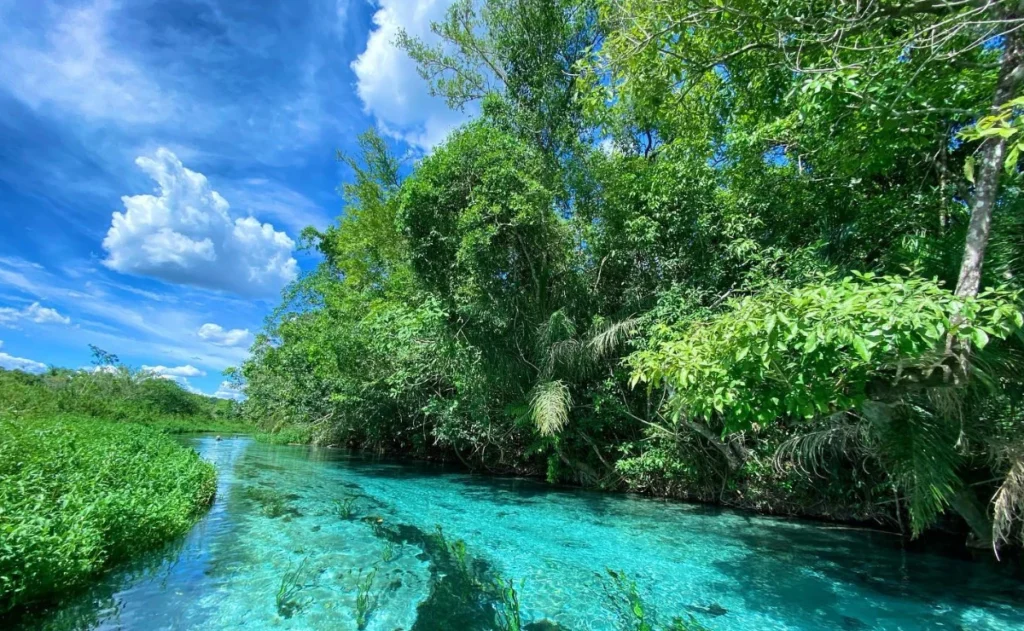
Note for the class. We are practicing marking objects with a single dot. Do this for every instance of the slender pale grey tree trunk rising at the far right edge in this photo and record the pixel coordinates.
(993, 157)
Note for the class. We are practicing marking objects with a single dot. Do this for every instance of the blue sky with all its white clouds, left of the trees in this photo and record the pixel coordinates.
(158, 159)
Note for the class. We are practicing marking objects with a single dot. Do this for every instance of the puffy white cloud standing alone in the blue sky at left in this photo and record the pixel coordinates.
(186, 236)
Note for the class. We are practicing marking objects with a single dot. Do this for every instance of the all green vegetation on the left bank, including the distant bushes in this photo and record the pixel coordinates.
(89, 476)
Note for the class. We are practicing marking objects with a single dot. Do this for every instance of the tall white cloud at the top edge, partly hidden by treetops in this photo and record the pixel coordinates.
(388, 82)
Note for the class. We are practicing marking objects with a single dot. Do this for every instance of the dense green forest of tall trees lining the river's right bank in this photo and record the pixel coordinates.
(762, 254)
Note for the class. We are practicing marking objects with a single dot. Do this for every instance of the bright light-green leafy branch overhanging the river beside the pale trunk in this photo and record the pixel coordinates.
(818, 349)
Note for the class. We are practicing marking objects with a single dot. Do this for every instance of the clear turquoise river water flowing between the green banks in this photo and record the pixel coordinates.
(278, 515)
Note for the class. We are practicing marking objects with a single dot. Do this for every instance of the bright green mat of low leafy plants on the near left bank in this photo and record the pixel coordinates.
(78, 495)
